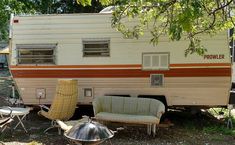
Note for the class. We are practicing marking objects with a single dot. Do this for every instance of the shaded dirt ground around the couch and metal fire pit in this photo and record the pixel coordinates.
(187, 130)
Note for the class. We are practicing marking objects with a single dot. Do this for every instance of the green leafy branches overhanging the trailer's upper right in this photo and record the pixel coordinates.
(178, 19)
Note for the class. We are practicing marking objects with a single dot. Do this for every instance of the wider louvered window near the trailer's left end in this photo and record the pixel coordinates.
(36, 54)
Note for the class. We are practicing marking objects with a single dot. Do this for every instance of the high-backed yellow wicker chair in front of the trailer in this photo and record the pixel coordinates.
(64, 103)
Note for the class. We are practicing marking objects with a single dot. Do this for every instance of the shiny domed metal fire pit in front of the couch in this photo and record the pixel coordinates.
(89, 133)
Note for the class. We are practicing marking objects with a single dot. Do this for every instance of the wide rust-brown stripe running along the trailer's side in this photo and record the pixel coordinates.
(121, 73)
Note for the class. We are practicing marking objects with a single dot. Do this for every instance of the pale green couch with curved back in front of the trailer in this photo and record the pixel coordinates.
(133, 110)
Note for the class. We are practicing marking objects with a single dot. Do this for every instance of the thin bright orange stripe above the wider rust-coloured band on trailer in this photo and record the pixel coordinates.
(120, 65)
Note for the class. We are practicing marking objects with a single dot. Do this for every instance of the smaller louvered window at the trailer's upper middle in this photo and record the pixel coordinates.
(96, 48)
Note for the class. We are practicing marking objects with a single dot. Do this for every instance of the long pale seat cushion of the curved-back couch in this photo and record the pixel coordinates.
(127, 118)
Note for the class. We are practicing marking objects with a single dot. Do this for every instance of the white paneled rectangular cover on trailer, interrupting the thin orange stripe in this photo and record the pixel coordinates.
(155, 61)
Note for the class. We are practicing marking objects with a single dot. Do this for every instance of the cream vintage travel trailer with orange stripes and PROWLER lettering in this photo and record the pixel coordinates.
(45, 48)
